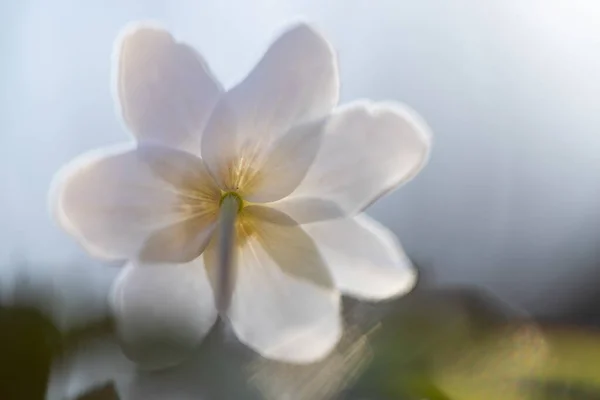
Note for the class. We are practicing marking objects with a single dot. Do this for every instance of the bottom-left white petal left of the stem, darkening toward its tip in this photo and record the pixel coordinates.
(162, 311)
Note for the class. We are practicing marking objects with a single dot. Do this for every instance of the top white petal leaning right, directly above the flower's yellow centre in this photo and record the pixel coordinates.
(295, 82)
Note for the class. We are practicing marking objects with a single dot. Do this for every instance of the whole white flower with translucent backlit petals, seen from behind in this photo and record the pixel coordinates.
(243, 202)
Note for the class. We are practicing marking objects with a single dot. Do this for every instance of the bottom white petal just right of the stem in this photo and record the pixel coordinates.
(283, 315)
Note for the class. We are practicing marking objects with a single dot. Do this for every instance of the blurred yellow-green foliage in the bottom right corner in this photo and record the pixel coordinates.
(463, 346)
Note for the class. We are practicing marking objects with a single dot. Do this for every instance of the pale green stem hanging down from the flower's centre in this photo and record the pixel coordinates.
(230, 206)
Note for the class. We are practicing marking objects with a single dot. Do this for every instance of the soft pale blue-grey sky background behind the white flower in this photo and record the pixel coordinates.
(510, 199)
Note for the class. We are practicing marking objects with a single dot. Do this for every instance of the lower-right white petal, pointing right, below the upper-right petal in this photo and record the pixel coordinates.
(364, 257)
